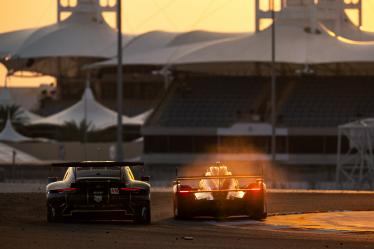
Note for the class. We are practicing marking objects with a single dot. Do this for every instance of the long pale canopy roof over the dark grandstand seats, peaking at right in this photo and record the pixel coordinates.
(294, 43)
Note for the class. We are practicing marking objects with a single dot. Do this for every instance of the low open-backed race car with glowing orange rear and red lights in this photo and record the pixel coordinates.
(220, 194)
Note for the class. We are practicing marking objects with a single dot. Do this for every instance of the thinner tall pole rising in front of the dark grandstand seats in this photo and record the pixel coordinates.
(273, 88)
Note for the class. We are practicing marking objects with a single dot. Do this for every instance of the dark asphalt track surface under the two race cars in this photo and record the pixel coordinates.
(23, 225)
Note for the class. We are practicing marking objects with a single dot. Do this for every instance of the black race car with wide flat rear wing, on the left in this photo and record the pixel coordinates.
(97, 189)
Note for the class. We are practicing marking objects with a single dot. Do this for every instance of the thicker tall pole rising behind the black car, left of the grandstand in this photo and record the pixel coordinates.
(119, 148)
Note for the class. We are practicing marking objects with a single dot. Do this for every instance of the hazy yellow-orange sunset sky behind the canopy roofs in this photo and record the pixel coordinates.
(145, 15)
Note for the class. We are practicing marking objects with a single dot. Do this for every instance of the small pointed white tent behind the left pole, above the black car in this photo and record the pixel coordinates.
(95, 114)
